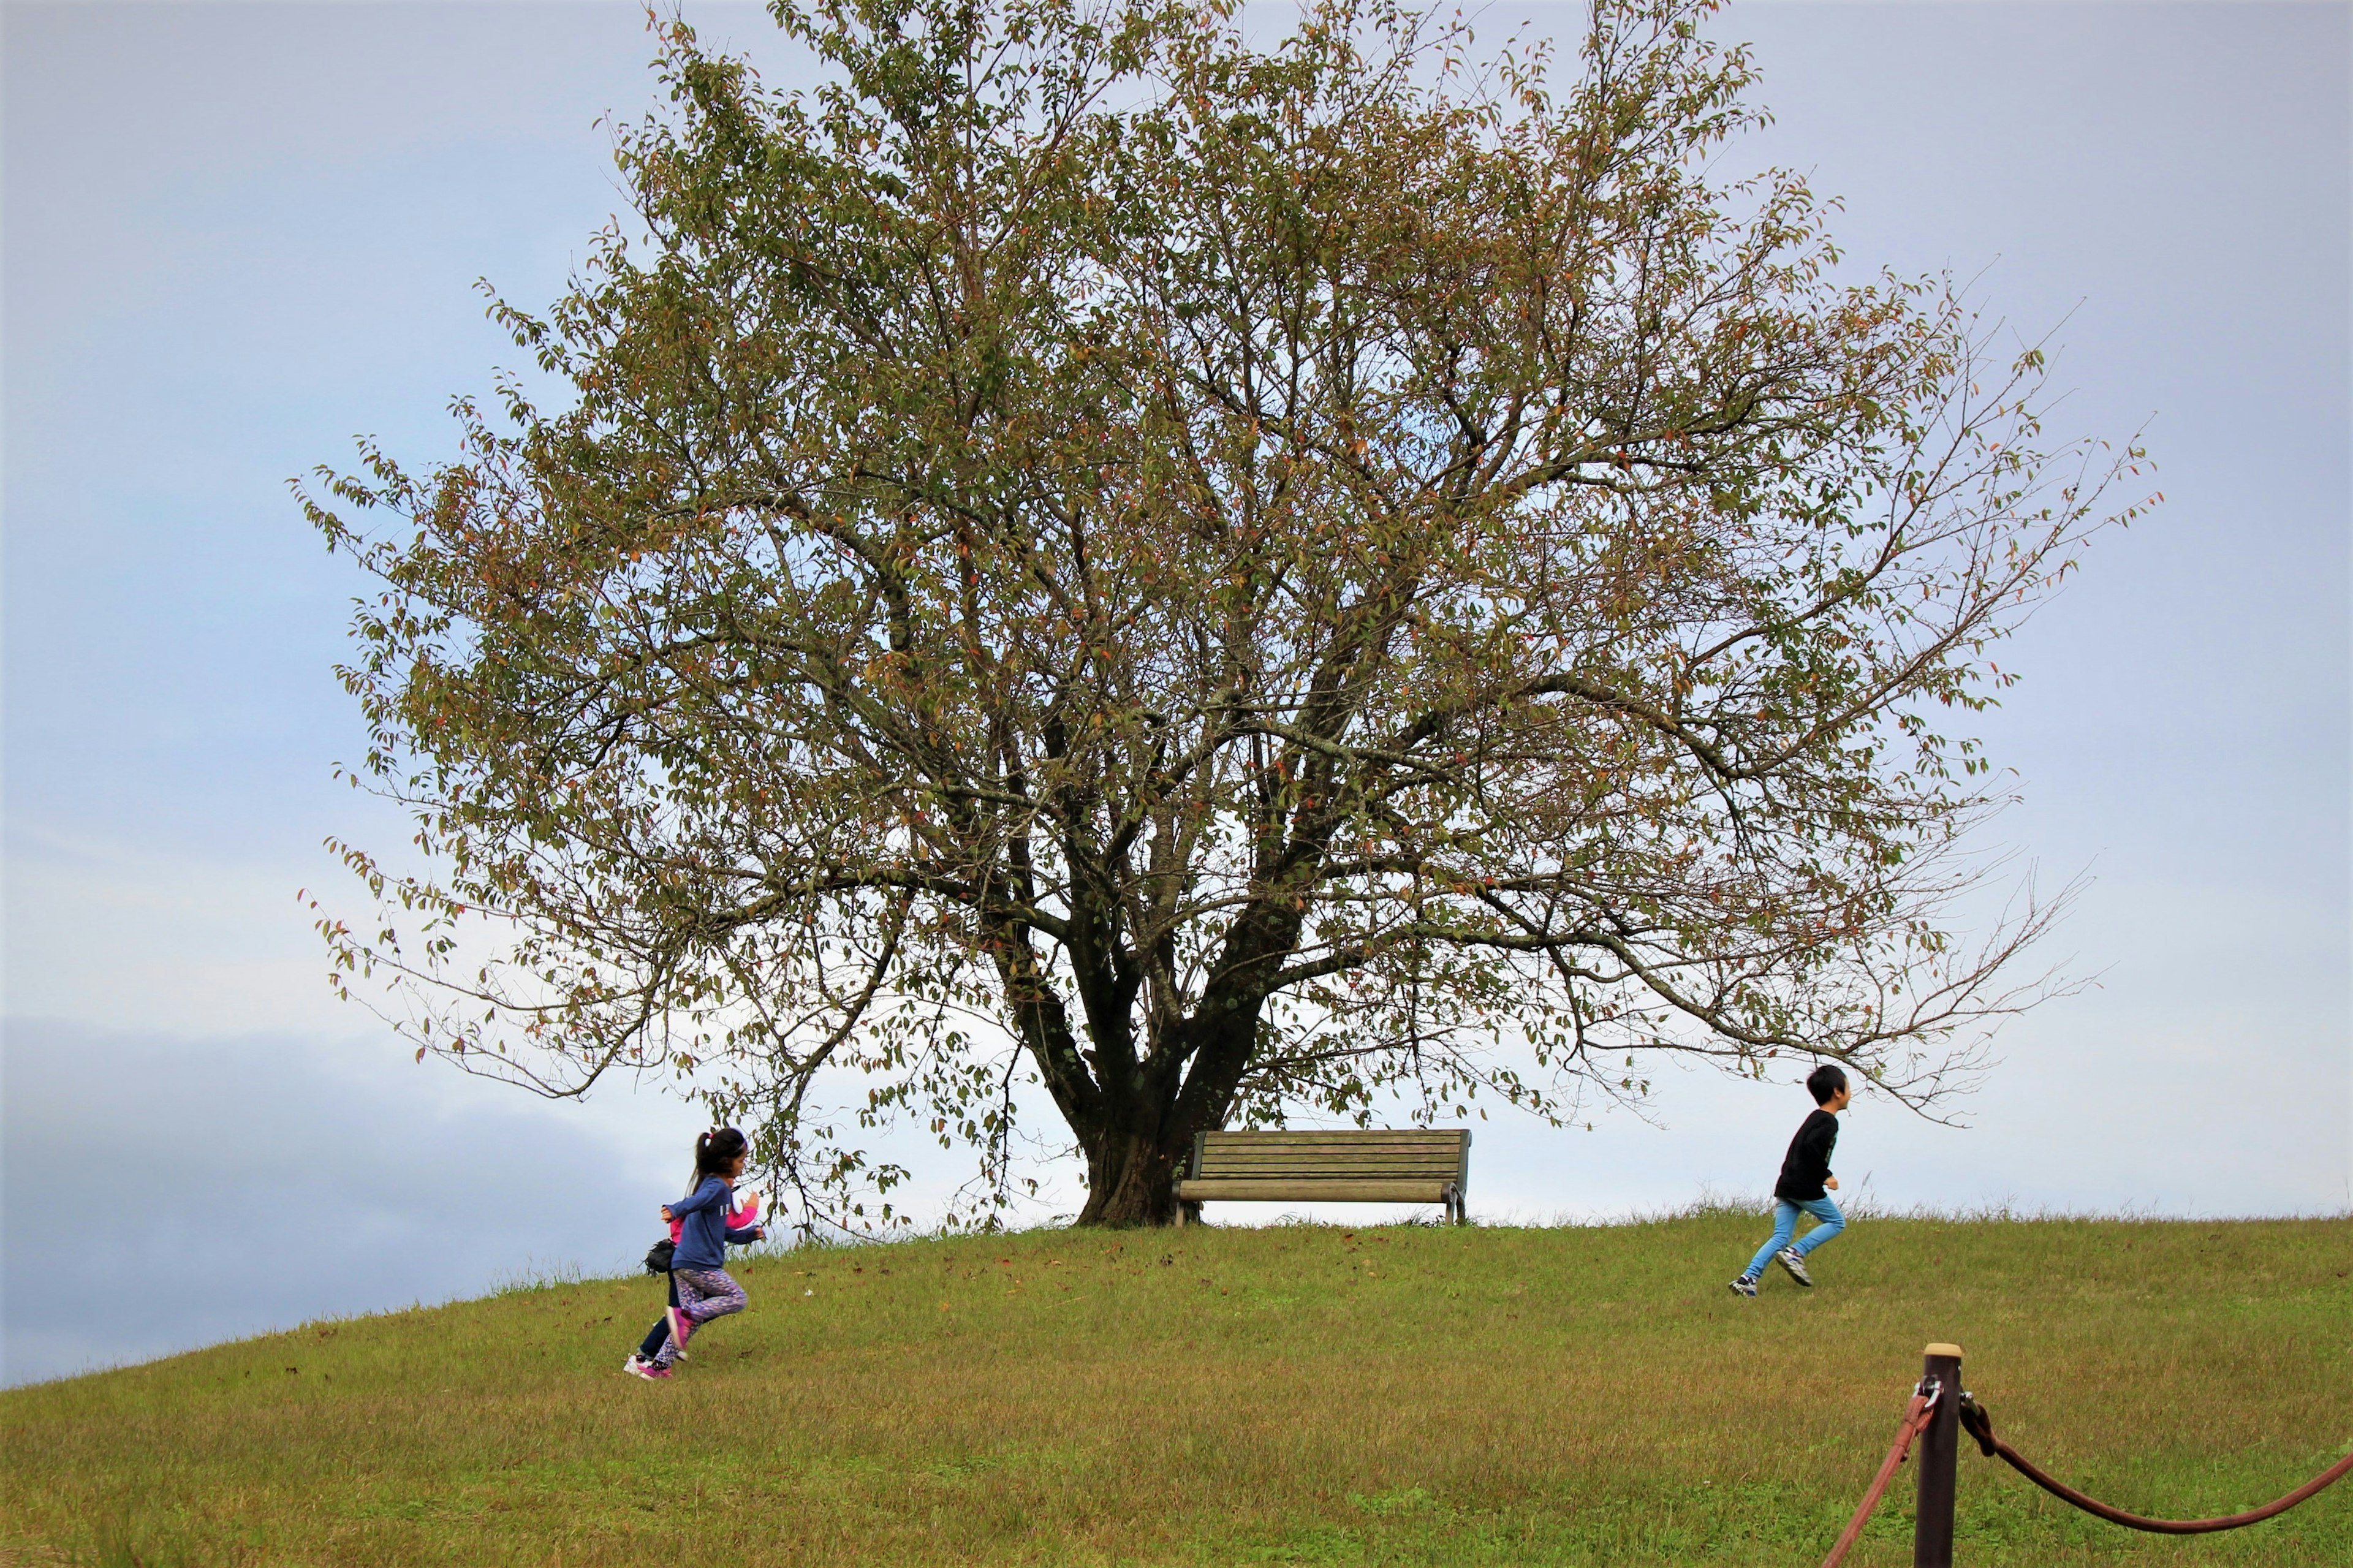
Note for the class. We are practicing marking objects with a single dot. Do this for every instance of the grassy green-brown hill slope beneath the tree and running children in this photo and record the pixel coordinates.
(1295, 1395)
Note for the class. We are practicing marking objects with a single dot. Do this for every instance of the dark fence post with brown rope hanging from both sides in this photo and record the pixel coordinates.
(1933, 1421)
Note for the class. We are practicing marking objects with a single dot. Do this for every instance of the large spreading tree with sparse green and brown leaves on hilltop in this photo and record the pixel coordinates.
(1215, 578)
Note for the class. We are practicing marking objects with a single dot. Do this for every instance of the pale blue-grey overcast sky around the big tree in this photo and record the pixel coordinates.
(241, 234)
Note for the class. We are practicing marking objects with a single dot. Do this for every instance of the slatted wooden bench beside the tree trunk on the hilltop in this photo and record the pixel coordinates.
(1349, 1167)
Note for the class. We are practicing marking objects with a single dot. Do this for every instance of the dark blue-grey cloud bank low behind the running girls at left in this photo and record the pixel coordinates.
(166, 1192)
